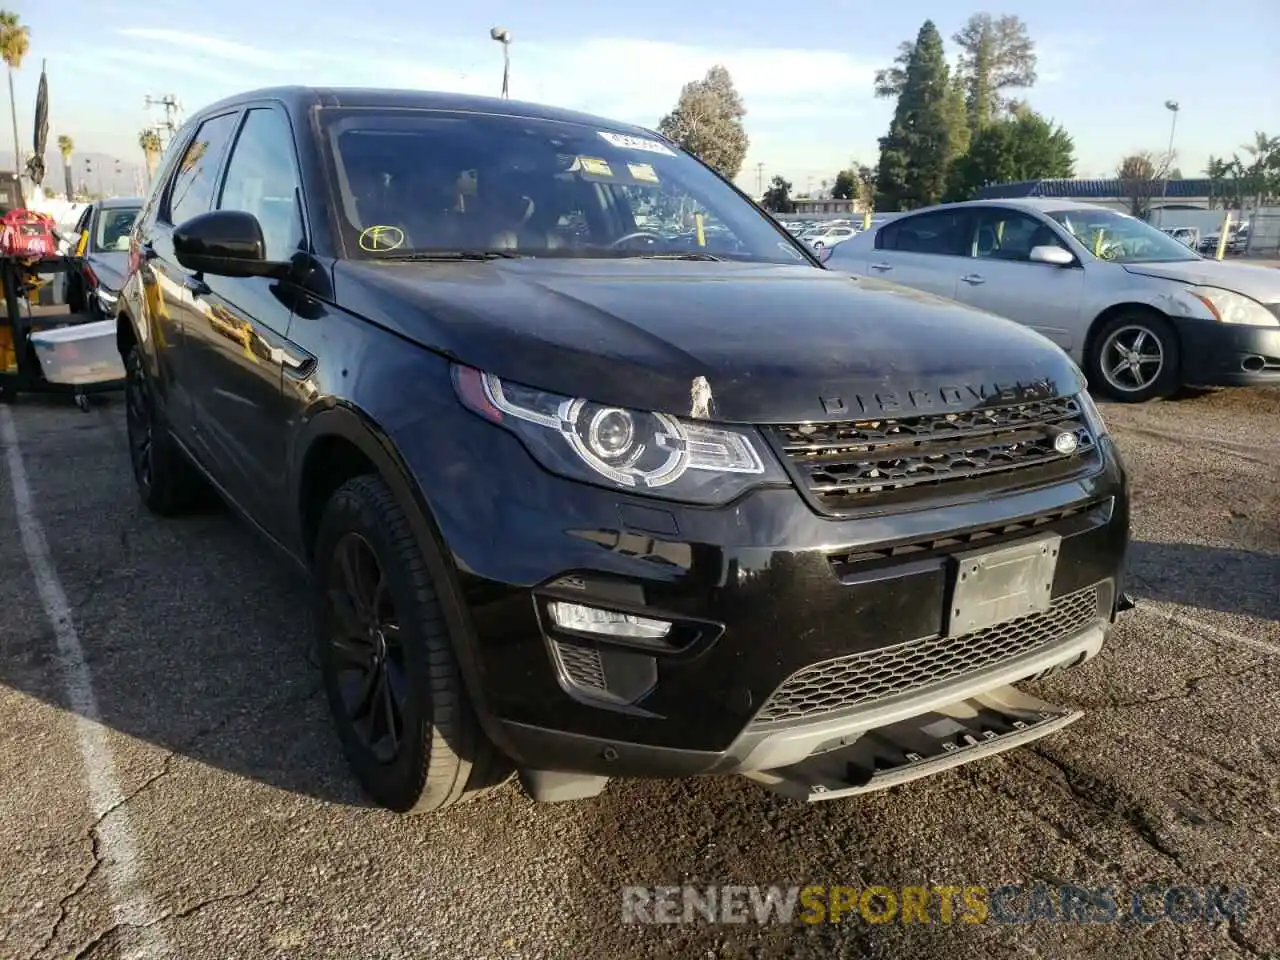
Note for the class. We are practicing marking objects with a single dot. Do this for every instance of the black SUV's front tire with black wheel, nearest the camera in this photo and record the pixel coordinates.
(440, 756)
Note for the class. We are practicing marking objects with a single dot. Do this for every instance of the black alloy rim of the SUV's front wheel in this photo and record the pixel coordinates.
(368, 648)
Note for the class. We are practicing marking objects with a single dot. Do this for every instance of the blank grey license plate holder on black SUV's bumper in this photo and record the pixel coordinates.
(995, 586)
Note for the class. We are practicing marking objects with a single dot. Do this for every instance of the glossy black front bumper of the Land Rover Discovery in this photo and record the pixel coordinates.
(762, 589)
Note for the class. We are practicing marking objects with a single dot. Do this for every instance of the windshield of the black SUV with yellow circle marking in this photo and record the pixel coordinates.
(422, 182)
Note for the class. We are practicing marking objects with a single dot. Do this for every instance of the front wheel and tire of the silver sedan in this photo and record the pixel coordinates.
(1123, 339)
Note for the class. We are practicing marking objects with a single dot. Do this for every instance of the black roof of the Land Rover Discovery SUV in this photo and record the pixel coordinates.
(300, 99)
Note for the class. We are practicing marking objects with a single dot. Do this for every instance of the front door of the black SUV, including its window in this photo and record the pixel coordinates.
(237, 337)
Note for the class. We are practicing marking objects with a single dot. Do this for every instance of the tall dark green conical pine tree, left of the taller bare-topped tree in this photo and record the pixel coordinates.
(920, 147)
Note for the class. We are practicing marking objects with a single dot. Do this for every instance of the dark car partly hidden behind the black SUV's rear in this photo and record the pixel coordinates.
(97, 286)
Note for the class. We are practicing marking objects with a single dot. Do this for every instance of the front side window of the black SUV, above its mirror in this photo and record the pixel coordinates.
(262, 180)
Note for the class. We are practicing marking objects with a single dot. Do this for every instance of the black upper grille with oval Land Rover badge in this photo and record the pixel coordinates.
(849, 465)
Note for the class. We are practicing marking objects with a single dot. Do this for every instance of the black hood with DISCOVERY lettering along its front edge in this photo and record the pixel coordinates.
(776, 344)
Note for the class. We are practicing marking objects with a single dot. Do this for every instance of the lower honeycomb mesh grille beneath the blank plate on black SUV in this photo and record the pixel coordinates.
(866, 678)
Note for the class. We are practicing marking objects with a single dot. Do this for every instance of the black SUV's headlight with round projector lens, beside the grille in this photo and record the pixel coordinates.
(651, 454)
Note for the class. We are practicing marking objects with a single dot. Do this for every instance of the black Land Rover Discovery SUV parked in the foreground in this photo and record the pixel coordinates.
(588, 501)
